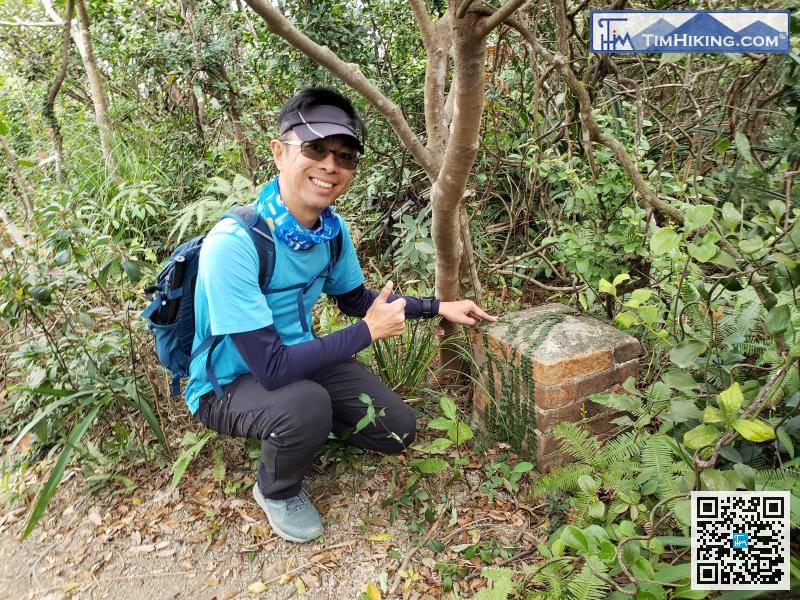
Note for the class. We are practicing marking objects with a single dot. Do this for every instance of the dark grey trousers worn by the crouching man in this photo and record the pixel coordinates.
(294, 421)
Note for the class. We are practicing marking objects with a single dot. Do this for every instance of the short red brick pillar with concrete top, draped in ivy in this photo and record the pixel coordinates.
(536, 368)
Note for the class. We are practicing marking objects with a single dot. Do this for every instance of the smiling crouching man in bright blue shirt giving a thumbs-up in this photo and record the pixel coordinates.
(280, 383)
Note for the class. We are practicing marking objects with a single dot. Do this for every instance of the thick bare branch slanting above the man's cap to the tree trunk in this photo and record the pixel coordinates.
(350, 74)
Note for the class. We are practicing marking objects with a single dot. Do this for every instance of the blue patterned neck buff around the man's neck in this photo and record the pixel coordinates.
(287, 229)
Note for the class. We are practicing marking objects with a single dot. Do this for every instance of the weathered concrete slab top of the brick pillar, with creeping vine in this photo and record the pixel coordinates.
(575, 335)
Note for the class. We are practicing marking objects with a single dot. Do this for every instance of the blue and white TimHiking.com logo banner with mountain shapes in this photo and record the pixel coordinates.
(713, 31)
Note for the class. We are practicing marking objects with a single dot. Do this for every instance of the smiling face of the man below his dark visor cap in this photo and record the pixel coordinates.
(311, 185)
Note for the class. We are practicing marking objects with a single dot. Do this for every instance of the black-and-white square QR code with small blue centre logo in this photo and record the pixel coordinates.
(740, 540)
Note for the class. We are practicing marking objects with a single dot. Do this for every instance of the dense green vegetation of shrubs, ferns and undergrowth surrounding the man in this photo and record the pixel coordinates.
(706, 275)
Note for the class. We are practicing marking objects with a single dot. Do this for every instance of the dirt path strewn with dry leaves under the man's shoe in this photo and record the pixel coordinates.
(198, 542)
